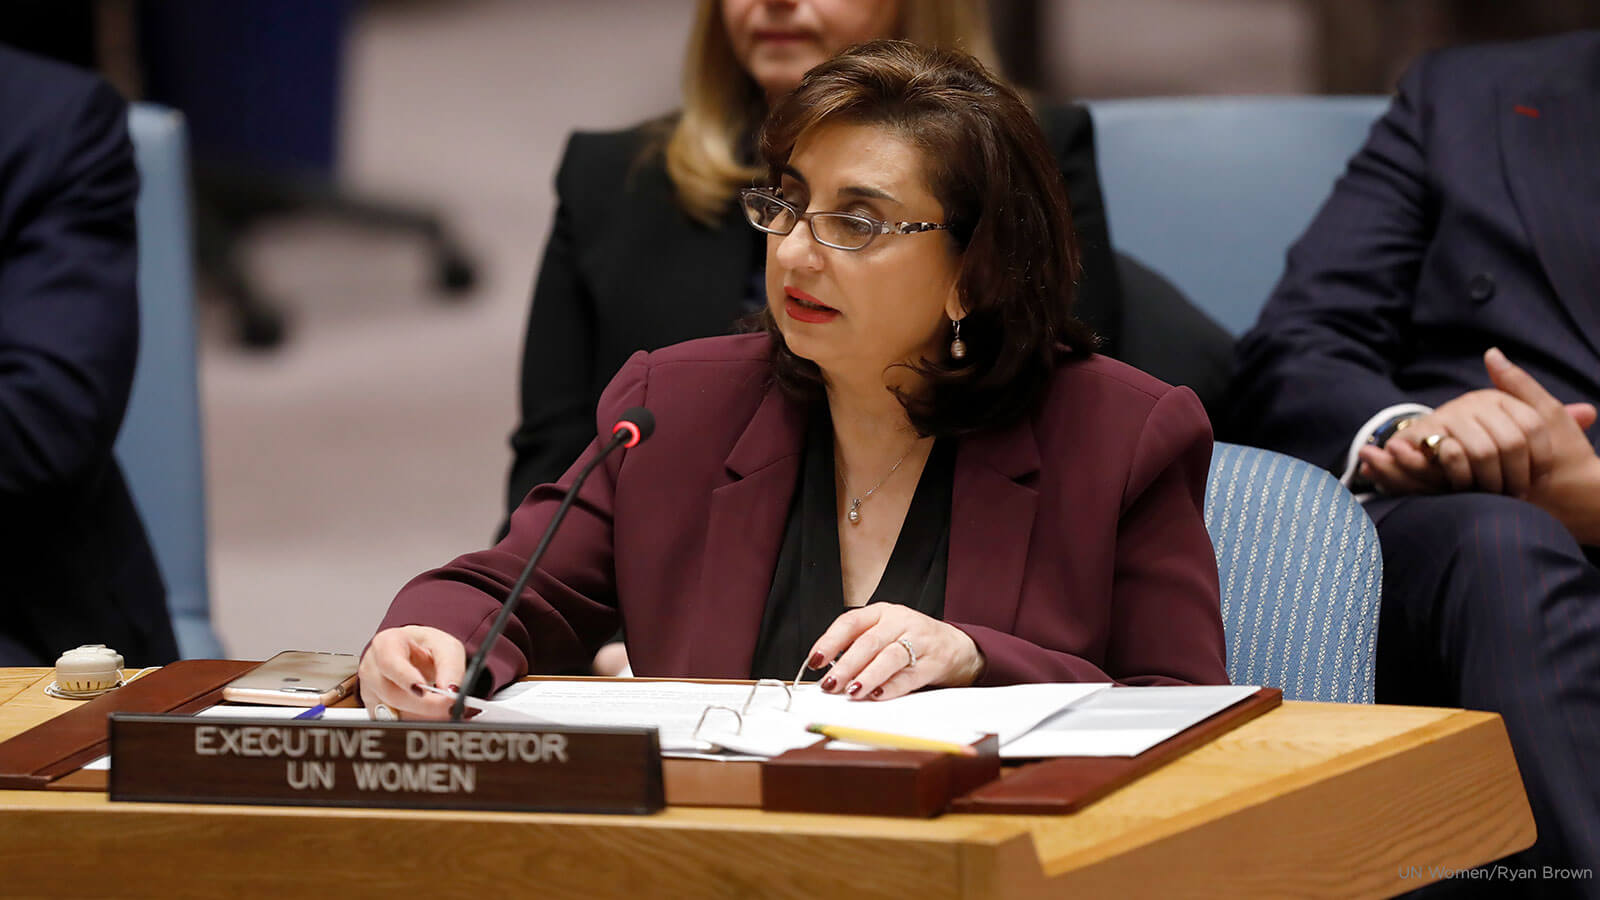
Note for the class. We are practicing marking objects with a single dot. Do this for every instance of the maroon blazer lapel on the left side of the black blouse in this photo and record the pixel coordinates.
(743, 534)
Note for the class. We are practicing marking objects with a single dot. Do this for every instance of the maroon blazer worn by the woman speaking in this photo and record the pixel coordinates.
(1078, 542)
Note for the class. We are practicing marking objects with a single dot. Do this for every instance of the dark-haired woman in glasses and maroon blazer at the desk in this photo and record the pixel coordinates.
(918, 470)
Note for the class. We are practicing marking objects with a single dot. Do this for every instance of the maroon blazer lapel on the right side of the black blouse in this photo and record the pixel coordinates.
(991, 526)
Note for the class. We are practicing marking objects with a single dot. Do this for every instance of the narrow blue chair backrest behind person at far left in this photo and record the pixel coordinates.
(159, 444)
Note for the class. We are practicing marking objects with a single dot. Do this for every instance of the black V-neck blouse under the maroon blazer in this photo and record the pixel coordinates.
(809, 584)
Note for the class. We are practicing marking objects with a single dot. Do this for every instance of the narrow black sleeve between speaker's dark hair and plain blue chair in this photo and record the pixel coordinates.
(1071, 135)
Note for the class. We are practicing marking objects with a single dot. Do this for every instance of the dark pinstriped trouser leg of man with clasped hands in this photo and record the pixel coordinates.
(1490, 605)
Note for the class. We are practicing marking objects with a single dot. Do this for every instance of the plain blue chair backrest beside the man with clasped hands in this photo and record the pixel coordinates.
(1212, 191)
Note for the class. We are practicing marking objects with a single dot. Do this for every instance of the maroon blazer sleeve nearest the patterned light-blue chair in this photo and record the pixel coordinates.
(1166, 622)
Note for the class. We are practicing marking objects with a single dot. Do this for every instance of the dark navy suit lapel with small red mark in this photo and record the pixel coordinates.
(1551, 150)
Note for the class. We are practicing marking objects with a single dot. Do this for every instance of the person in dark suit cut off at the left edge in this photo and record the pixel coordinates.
(74, 561)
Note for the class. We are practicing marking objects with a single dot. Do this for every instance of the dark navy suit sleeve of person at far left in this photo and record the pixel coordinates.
(70, 316)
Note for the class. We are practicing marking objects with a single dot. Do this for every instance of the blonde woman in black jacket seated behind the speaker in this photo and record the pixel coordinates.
(650, 247)
